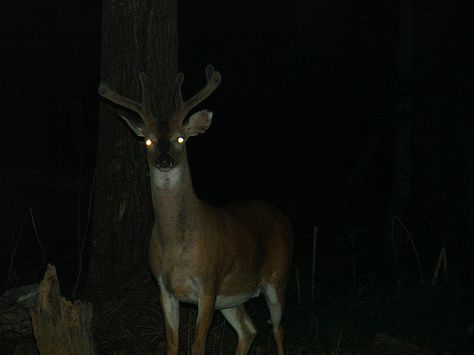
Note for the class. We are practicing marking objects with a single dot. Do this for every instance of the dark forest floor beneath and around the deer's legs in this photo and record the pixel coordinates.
(377, 319)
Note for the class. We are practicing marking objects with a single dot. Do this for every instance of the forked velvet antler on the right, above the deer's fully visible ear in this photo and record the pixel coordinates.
(213, 80)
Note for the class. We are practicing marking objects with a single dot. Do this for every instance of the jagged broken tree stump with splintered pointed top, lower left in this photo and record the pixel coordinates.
(61, 327)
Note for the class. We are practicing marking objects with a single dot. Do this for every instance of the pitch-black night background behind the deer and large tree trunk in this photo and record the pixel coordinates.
(306, 117)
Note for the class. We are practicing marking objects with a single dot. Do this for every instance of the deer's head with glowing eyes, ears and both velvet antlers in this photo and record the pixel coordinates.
(165, 139)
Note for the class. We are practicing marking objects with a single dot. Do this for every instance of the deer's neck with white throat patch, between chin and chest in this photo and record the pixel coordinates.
(175, 203)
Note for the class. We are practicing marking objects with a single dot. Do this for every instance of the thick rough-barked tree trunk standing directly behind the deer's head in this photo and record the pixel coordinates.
(136, 36)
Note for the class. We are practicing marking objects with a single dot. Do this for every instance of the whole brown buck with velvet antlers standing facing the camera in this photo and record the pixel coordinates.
(216, 258)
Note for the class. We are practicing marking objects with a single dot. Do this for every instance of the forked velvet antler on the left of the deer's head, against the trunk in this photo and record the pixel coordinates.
(143, 109)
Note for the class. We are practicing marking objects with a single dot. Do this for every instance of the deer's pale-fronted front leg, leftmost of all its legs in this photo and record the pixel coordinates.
(170, 310)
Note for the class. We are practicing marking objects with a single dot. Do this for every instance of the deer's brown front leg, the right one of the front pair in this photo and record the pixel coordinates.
(205, 312)
